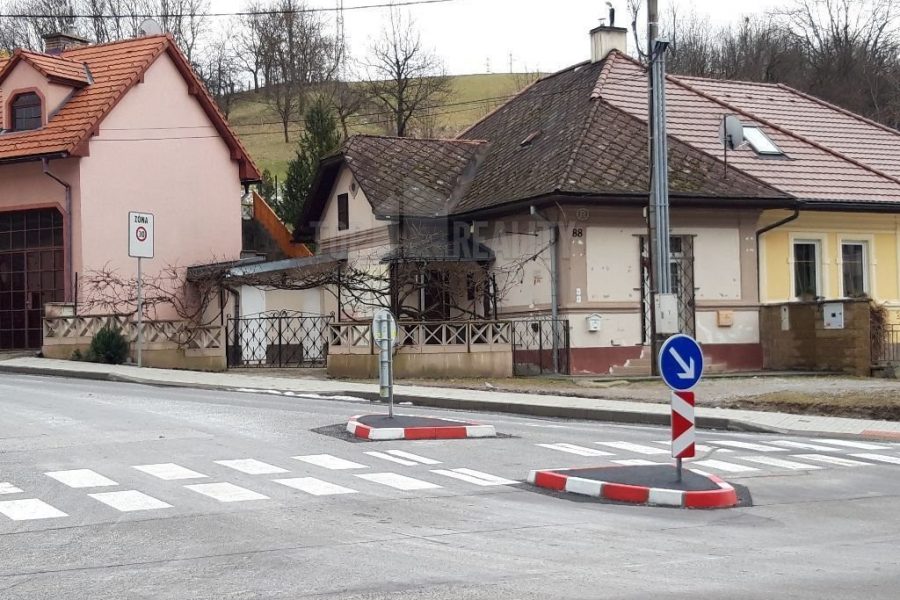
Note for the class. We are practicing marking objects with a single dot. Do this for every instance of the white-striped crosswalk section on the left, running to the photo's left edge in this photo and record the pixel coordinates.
(252, 481)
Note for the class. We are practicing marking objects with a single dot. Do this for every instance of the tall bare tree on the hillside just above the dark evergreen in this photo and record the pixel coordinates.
(302, 55)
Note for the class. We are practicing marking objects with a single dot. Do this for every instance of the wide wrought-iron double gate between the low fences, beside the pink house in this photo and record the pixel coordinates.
(283, 339)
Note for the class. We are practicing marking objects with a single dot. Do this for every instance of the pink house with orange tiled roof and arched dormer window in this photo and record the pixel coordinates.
(89, 133)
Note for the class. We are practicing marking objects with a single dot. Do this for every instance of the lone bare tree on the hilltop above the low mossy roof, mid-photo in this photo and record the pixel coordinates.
(404, 77)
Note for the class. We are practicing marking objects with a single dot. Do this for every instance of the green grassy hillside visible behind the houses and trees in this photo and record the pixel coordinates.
(261, 133)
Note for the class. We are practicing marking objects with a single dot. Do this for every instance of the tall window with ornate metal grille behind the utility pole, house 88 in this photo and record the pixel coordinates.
(681, 263)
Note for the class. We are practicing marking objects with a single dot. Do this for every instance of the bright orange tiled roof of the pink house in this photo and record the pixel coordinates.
(112, 70)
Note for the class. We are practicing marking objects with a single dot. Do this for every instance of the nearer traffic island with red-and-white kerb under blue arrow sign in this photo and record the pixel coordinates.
(655, 485)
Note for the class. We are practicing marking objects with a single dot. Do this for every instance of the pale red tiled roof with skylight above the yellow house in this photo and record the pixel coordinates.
(830, 155)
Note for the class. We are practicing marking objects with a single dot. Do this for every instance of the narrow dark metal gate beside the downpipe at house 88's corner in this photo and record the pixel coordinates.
(533, 348)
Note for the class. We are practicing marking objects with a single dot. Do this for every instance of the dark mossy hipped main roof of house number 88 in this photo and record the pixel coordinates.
(554, 138)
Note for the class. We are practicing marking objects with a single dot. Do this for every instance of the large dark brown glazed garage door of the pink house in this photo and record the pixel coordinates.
(32, 273)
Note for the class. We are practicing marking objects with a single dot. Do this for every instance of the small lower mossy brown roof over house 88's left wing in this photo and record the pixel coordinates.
(415, 177)
